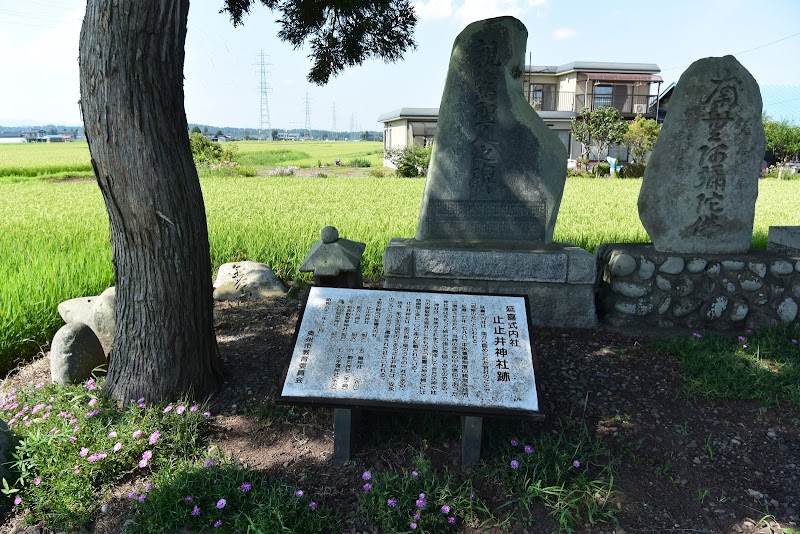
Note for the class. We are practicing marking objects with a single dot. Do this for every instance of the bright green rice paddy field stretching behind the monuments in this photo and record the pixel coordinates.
(54, 234)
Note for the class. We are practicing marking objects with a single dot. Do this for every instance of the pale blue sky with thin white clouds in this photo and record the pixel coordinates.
(39, 51)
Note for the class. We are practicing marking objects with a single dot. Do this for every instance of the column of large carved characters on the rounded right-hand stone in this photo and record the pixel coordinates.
(718, 110)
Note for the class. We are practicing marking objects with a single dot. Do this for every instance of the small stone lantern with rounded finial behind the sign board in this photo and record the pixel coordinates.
(335, 262)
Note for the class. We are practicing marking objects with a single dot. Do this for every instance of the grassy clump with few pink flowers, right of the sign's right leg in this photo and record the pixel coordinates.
(569, 473)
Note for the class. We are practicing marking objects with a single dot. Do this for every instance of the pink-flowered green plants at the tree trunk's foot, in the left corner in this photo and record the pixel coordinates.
(72, 443)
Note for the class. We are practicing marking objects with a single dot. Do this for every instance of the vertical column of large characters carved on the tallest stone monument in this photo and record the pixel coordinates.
(485, 70)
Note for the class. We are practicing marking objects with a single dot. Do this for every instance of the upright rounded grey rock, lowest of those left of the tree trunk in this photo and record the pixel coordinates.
(74, 353)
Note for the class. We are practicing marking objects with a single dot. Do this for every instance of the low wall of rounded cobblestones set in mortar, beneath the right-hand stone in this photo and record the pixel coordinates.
(639, 286)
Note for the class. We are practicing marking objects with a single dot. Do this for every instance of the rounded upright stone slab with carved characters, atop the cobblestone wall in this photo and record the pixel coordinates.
(700, 186)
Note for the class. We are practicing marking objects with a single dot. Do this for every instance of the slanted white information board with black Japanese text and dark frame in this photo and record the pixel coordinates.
(456, 352)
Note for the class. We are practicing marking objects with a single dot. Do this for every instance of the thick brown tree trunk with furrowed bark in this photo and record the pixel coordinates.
(131, 75)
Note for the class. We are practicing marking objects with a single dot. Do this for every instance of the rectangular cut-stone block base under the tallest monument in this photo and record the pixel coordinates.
(558, 279)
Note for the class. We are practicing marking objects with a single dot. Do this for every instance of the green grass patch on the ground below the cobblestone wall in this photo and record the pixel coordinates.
(761, 365)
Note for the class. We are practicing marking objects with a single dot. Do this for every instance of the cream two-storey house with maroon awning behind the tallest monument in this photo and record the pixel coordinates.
(557, 93)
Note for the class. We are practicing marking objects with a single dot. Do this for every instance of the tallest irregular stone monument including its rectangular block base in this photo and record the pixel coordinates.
(493, 190)
